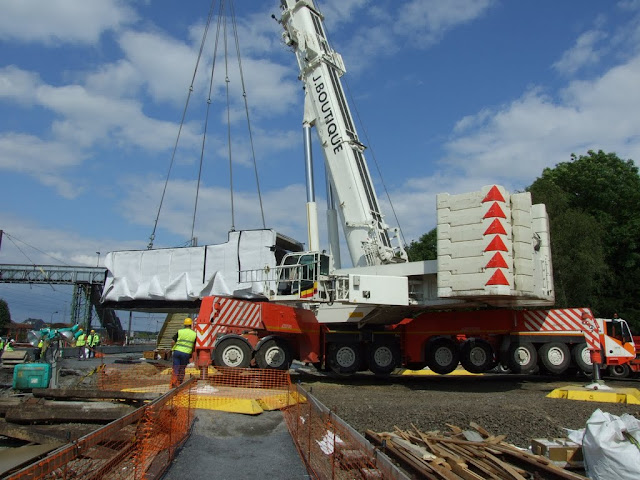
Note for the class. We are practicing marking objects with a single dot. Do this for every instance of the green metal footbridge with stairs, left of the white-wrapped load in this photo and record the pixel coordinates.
(87, 282)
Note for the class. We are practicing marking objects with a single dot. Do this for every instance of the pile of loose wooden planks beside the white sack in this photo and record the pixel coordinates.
(464, 454)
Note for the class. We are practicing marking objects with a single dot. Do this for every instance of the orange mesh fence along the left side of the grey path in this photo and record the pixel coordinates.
(136, 446)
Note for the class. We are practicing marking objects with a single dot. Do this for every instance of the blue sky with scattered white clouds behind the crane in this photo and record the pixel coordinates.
(452, 95)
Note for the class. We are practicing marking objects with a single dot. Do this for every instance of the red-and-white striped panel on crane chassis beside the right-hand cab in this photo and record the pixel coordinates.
(562, 320)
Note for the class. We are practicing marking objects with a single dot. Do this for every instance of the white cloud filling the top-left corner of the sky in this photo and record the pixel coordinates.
(62, 21)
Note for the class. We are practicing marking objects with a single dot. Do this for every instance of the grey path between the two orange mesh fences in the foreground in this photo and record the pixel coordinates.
(232, 446)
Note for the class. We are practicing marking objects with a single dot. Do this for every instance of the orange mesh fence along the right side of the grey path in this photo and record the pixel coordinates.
(330, 448)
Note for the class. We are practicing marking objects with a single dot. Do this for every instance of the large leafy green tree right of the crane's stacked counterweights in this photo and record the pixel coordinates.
(593, 203)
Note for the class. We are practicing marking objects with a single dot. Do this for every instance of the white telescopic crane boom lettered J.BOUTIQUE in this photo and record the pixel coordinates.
(368, 238)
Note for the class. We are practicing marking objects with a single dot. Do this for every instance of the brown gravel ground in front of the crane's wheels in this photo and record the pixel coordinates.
(513, 405)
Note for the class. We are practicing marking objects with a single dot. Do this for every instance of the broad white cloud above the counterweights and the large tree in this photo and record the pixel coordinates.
(511, 145)
